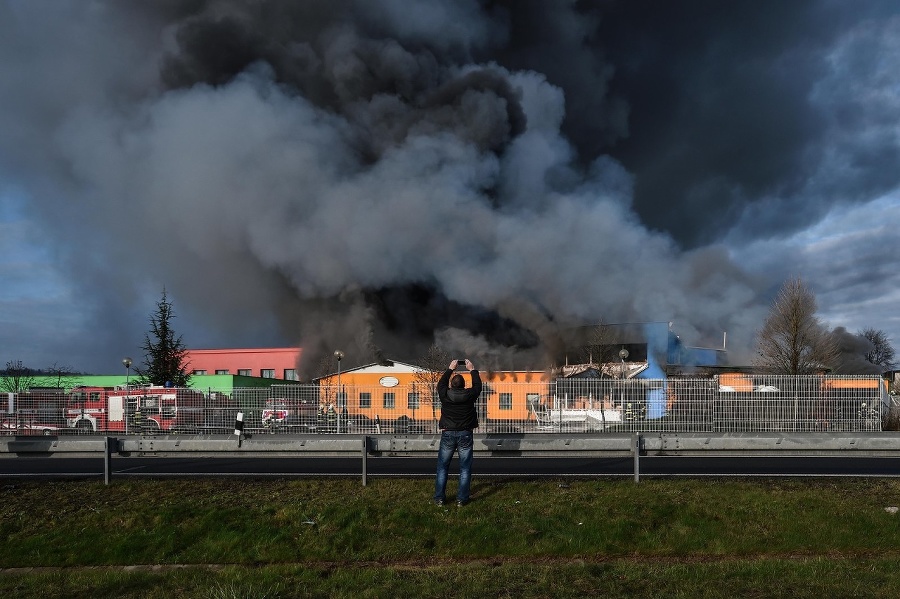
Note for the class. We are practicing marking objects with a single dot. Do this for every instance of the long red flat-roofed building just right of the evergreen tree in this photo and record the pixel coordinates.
(266, 362)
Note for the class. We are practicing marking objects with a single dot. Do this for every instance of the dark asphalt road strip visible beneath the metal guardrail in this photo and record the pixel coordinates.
(41, 467)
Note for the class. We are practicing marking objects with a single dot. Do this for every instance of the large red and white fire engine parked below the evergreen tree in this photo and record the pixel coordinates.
(134, 410)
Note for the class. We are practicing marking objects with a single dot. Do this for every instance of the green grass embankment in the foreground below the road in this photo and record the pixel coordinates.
(333, 537)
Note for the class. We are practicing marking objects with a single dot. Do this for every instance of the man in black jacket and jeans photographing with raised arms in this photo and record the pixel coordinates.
(458, 419)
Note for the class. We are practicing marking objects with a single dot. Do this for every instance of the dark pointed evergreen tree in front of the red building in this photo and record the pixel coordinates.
(164, 354)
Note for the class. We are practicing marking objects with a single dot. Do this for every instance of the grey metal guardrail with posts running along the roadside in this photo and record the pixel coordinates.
(486, 445)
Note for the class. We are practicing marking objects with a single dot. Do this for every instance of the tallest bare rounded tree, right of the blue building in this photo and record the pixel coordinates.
(792, 340)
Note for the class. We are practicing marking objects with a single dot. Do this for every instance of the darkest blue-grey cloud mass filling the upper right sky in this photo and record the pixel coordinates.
(728, 104)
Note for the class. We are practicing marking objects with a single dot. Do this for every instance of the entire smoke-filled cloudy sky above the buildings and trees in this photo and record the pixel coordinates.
(376, 177)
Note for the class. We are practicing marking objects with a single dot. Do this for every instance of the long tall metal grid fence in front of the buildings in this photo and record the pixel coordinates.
(736, 403)
